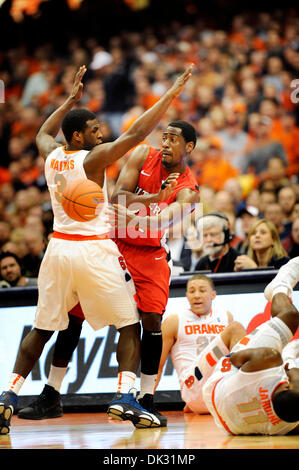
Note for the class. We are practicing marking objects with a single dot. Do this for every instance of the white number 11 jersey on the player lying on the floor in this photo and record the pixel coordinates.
(243, 406)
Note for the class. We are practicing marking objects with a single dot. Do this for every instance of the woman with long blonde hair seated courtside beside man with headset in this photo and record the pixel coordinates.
(265, 248)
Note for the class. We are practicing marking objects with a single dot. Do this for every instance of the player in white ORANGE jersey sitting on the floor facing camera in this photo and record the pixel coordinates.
(196, 338)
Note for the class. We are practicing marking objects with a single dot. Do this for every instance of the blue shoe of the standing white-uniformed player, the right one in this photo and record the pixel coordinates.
(124, 406)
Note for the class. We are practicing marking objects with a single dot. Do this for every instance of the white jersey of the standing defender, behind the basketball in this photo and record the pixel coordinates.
(62, 167)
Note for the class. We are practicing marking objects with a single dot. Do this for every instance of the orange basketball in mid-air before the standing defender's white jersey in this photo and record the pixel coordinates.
(82, 200)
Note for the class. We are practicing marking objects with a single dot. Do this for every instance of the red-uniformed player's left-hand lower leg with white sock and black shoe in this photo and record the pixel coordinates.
(48, 404)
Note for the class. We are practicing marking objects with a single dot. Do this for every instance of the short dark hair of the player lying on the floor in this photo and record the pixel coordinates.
(285, 405)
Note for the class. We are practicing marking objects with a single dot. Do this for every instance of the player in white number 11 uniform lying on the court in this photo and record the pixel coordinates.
(255, 390)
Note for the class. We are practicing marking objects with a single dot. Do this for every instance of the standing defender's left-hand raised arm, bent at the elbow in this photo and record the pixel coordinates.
(45, 139)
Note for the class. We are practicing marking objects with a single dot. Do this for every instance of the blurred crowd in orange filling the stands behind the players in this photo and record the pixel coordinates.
(241, 99)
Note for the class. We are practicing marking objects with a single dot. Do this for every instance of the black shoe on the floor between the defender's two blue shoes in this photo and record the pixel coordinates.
(47, 405)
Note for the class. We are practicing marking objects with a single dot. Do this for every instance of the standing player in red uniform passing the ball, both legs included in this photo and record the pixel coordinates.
(154, 179)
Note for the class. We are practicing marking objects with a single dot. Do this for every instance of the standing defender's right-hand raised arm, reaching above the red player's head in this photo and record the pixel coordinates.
(104, 154)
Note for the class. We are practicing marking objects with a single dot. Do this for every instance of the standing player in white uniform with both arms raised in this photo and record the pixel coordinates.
(81, 263)
